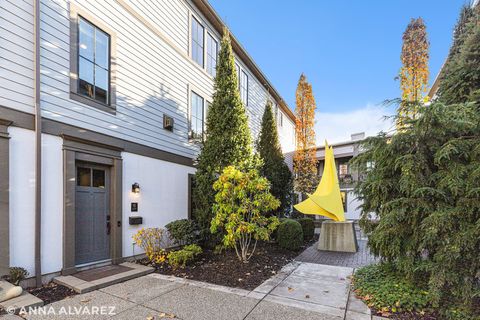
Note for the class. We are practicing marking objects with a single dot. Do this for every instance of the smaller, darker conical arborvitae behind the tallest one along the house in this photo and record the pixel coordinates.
(274, 167)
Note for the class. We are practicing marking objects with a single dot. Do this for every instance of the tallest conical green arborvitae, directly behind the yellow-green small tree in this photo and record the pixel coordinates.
(228, 139)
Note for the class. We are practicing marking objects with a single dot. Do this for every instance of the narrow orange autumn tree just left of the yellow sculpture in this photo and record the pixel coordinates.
(304, 163)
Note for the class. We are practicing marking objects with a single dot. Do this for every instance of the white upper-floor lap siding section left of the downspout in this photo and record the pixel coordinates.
(16, 55)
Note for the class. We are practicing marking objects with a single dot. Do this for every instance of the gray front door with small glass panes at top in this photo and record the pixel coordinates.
(92, 214)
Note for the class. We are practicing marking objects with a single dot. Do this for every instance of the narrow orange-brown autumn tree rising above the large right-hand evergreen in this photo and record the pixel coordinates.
(414, 72)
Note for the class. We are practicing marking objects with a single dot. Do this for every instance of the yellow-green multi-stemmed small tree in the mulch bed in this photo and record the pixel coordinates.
(241, 201)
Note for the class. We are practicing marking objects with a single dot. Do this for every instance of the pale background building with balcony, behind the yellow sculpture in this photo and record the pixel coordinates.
(343, 152)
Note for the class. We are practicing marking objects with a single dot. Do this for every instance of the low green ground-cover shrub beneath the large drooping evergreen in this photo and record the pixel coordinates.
(383, 287)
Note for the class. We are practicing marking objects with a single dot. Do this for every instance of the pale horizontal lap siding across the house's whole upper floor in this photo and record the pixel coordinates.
(154, 73)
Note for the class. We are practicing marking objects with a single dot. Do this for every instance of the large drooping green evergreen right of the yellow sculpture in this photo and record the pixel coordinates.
(424, 186)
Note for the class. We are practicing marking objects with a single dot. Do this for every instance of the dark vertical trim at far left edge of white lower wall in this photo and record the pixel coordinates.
(4, 198)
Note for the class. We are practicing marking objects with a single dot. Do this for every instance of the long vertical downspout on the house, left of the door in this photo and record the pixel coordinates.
(38, 143)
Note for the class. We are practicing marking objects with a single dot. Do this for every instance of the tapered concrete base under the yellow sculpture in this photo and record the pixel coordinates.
(338, 236)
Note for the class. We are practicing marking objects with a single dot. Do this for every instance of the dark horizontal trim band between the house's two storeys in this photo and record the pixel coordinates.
(26, 121)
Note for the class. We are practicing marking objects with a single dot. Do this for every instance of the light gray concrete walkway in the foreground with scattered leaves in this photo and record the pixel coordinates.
(299, 291)
